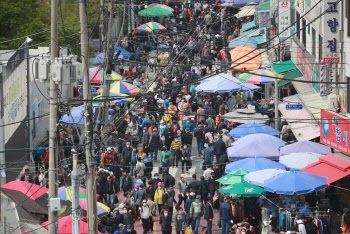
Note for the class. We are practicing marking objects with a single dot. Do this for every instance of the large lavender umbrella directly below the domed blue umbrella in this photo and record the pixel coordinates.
(252, 149)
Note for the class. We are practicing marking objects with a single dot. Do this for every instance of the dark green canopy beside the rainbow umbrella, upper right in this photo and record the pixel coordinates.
(288, 69)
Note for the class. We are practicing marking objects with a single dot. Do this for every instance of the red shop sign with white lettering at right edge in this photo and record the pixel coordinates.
(335, 131)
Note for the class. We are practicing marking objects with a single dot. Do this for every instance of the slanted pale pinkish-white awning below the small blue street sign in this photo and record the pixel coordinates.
(302, 124)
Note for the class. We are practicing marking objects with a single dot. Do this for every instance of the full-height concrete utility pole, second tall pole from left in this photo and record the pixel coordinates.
(91, 192)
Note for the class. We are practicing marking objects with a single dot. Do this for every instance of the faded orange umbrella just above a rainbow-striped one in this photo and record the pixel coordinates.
(242, 54)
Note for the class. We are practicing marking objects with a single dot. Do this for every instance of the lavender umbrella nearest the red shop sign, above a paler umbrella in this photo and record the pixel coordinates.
(305, 147)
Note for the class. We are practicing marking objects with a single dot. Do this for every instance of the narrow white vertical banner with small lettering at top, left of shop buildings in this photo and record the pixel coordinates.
(284, 18)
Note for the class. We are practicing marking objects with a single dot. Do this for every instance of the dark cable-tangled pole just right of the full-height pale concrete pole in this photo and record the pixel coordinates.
(108, 71)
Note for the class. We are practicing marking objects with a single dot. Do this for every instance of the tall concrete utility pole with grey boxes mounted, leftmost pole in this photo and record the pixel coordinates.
(53, 217)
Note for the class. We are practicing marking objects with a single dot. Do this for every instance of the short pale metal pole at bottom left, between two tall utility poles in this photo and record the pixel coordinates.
(75, 196)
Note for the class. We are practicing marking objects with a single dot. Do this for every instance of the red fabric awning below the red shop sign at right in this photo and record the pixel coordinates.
(330, 166)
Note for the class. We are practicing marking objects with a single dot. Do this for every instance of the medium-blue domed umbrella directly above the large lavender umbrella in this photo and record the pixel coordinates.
(251, 128)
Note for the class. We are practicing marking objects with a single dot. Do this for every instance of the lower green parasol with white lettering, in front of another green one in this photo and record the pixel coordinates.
(244, 189)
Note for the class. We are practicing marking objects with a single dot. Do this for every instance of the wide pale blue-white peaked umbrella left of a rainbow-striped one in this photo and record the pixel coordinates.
(222, 83)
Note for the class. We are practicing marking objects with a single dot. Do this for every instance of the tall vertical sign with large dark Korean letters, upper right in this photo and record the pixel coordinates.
(331, 27)
